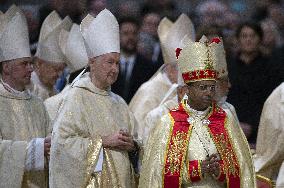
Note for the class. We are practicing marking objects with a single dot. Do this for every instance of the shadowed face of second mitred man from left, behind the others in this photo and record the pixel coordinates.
(48, 72)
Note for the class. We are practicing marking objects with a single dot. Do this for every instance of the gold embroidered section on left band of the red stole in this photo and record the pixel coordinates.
(175, 152)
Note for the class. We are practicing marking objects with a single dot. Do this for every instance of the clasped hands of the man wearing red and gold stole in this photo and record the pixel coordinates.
(211, 165)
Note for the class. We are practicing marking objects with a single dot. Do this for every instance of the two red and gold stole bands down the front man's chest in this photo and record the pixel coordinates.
(179, 136)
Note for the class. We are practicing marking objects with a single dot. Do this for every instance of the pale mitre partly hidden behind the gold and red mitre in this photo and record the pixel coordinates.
(170, 35)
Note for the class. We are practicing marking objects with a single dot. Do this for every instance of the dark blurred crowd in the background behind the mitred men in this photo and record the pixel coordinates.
(253, 34)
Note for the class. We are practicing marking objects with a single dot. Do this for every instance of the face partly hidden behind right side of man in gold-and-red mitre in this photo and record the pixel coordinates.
(223, 86)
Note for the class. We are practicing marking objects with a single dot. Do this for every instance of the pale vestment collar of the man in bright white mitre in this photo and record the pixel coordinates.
(85, 83)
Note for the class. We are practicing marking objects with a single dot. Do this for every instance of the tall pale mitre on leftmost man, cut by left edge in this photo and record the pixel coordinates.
(14, 36)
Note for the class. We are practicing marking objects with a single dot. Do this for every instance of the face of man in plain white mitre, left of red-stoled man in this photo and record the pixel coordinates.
(104, 70)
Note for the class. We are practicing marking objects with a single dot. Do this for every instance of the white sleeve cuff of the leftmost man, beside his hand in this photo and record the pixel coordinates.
(35, 155)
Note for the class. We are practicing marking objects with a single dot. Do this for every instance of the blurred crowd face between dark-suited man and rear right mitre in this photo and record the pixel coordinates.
(150, 24)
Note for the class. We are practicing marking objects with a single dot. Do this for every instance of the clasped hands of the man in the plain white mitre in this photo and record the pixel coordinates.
(121, 140)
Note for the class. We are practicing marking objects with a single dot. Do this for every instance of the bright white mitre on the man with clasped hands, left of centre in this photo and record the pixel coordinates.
(101, 34)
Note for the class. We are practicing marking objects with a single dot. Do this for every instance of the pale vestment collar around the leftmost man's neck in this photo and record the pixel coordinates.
(8, 92)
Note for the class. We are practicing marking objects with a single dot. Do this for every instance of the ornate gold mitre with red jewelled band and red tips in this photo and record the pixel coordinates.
(198, 60)
